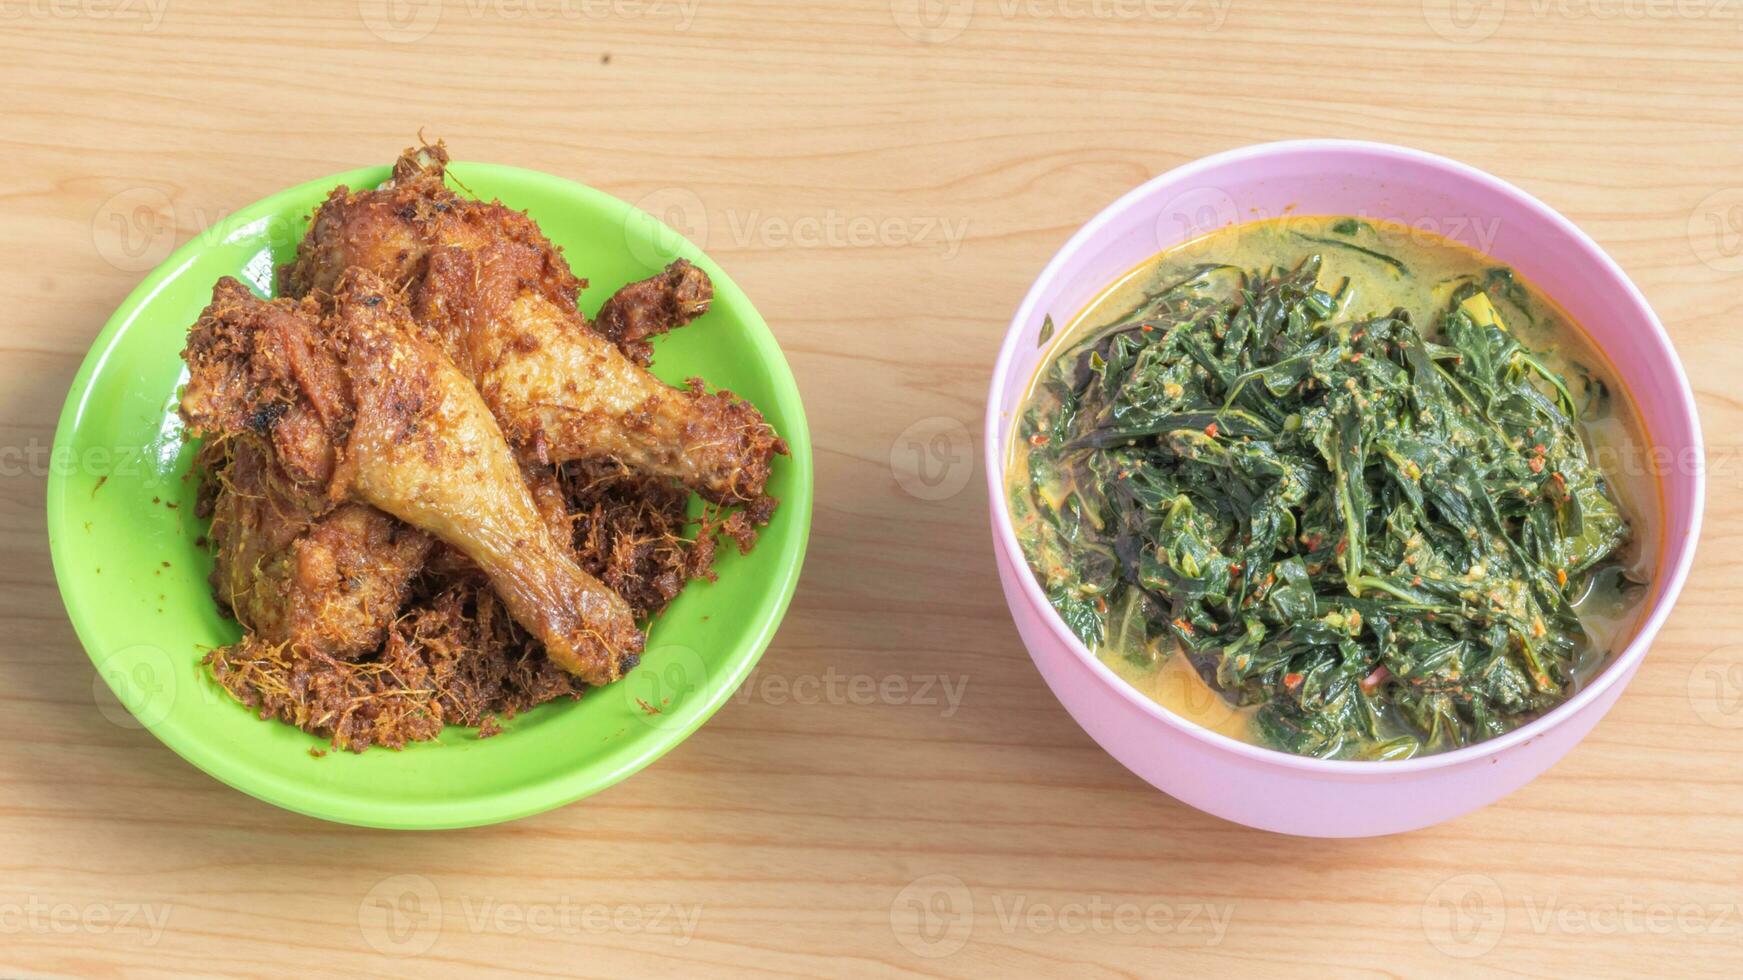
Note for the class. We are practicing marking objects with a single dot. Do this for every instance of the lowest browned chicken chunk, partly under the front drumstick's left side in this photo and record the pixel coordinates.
(329, 582)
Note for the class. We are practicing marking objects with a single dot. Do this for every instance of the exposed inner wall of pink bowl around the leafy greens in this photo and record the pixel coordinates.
(1411, 189)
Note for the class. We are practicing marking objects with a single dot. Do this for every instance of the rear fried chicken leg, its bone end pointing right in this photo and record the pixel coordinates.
(498, 297)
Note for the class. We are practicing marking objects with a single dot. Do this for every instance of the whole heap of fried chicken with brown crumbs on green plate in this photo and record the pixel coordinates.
(438, 494)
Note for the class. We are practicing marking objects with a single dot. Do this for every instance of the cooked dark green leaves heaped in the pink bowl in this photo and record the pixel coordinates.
(1373, 533)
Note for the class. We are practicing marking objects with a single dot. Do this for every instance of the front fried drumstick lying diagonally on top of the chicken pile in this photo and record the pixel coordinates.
(388, 421)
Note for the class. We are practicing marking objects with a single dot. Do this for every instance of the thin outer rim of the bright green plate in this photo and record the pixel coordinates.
(520, 801)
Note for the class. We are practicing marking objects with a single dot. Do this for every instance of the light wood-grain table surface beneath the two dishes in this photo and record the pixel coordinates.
(885, 179)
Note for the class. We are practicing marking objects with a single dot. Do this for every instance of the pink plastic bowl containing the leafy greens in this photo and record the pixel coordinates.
(1268, 789)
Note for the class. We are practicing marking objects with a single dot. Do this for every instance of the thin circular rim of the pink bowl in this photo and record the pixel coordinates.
(1679, 559)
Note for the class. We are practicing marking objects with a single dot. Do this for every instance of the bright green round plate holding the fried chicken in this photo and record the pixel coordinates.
(133, 571)
